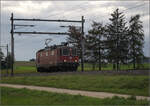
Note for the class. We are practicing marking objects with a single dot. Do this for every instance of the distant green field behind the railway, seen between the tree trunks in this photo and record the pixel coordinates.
(29, 67)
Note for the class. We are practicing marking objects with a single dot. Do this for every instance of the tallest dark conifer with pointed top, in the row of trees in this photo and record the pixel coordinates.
(117, 39)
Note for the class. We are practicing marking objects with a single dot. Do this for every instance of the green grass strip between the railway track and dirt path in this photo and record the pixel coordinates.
(133, 85)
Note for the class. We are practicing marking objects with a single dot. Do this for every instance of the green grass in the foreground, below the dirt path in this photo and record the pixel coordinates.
(13, 96)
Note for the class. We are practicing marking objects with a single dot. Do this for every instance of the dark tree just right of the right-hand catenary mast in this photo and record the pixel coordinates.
(94, 43)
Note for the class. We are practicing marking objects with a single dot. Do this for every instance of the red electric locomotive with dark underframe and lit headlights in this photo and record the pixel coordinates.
(57, 58)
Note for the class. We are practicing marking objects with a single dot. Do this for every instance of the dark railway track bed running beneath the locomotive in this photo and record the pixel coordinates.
(124, 72)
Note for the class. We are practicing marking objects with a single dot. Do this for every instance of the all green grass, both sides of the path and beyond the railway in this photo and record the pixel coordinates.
(123, 84)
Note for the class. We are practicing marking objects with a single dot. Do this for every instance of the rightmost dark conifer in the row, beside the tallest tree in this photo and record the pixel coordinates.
(136, 39)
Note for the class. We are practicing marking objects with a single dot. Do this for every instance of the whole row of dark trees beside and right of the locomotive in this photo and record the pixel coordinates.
(117, 42)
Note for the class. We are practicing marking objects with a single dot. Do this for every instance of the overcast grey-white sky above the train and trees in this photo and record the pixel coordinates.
(27, 45)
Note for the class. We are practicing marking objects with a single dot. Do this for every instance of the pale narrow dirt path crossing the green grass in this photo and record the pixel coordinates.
(73, 92)
